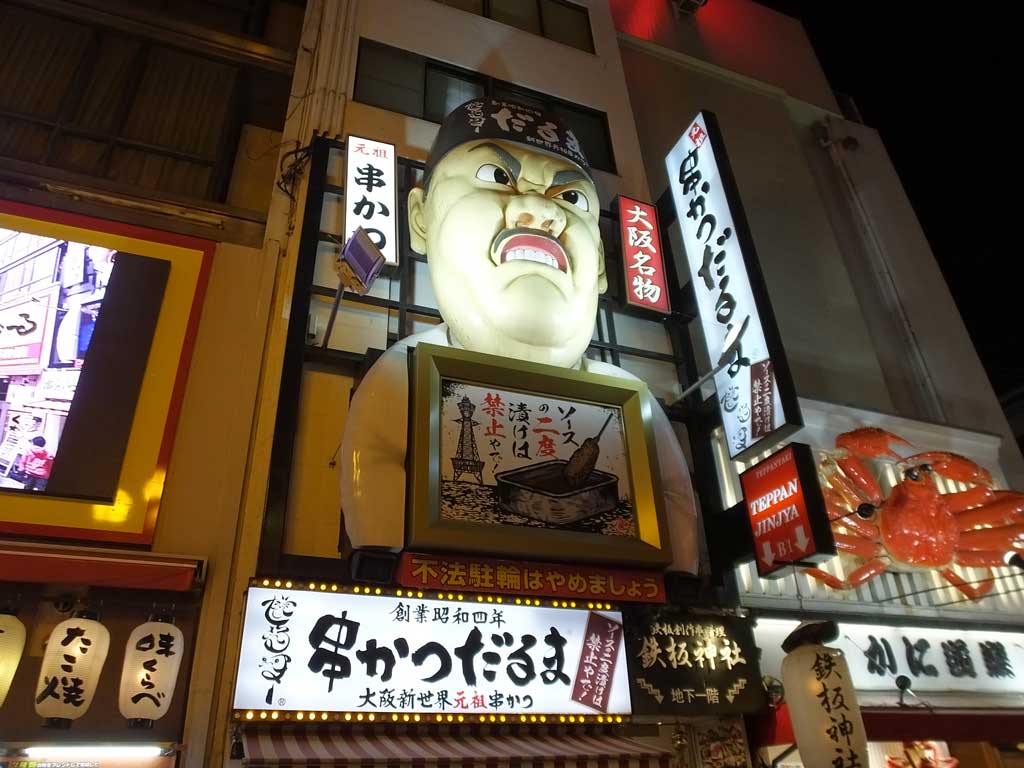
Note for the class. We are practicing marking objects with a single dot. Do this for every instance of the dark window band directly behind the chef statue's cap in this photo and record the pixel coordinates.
(400, 81)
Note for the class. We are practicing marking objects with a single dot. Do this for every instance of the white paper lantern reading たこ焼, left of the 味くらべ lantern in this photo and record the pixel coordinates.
(74, 659)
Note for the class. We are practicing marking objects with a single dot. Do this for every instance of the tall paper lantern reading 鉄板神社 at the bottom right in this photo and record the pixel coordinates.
(824, 709)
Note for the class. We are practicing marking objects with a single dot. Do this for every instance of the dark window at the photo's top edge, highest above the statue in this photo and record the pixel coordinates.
(561, 21)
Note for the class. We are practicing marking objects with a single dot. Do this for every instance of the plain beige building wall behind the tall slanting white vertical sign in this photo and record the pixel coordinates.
(827, 340)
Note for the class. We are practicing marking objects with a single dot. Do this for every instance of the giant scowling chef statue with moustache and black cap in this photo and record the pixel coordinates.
(508, 219)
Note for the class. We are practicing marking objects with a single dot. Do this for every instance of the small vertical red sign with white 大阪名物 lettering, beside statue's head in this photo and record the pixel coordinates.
(644, 263)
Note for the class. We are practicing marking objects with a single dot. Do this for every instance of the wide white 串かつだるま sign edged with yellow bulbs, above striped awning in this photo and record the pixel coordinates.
(346, 653)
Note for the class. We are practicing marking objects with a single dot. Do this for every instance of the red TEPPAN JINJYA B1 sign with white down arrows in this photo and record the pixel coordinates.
(787, 510)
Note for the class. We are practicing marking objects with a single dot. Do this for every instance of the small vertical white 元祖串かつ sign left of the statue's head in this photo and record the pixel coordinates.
(371, 194)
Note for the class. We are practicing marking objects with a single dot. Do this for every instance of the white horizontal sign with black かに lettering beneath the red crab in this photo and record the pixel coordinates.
(934, 660)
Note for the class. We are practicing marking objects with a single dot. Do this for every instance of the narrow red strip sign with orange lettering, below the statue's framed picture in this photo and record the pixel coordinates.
(579, 583)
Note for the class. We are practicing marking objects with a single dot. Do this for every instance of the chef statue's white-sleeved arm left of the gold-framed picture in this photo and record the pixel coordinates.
(373, 451)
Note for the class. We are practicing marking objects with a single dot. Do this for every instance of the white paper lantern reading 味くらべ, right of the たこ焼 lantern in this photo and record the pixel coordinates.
(153, 657)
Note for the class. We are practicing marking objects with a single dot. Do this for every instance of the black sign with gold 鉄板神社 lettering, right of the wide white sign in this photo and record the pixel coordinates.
(687, 664)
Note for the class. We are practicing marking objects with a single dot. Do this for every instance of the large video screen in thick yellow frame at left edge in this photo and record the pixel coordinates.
(97, 325)
